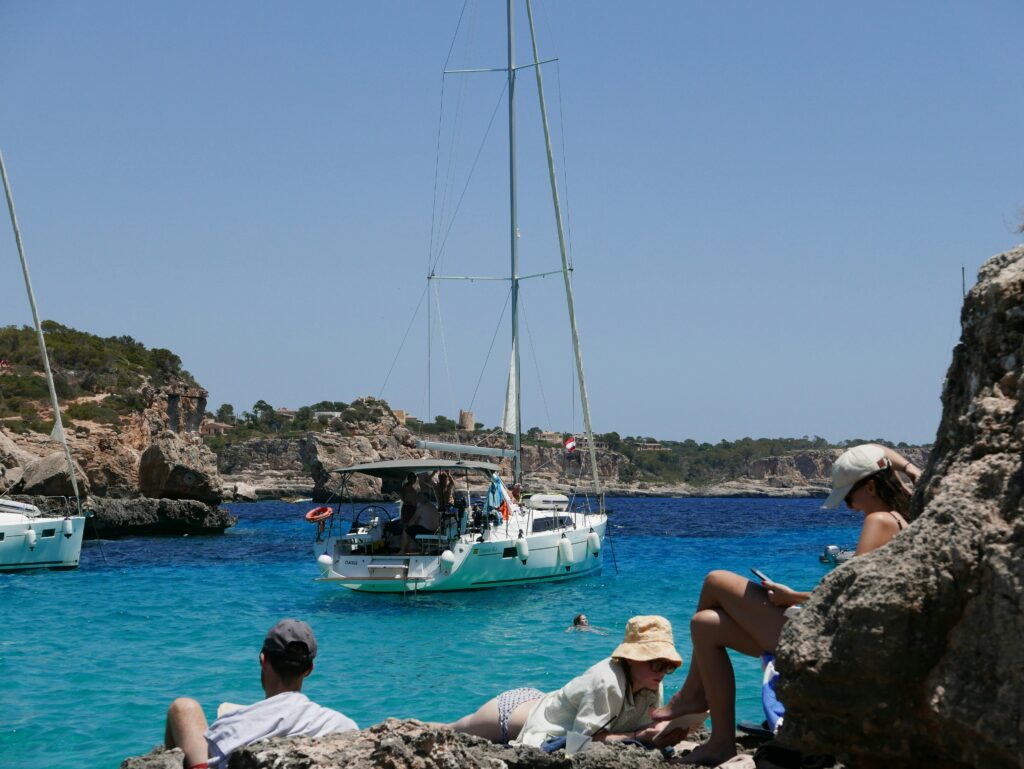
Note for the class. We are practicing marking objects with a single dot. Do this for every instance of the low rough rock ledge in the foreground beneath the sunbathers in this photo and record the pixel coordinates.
(413, 745)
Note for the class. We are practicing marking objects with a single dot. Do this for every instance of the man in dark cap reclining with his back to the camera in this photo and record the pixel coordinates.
(286, 660)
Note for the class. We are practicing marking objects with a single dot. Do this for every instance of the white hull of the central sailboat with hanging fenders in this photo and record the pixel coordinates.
(477, 566)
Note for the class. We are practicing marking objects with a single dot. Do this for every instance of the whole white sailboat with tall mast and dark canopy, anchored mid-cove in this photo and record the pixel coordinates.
(483, 540)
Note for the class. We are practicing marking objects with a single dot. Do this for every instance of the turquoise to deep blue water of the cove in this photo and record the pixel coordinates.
(90, 660)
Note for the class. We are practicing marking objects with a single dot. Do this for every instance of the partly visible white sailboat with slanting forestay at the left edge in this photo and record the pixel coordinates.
(29, 538)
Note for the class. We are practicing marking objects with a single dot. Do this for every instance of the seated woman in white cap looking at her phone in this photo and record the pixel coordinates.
(737, 614)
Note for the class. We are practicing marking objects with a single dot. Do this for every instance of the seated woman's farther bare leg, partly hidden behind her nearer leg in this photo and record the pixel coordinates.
(748, 605)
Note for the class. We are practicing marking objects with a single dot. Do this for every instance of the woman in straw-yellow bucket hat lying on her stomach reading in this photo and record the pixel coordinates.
(612, 702)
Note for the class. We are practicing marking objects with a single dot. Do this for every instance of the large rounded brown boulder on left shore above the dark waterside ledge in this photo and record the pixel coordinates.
(180, 467)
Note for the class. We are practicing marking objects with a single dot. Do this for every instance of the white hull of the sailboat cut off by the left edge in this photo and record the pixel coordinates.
(50, 547)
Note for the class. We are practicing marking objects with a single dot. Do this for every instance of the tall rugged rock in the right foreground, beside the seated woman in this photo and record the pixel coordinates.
(912, 656)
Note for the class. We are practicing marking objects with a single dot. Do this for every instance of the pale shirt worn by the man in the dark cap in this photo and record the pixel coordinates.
(284, 715)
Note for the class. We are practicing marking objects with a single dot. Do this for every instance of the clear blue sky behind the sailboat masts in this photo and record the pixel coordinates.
(771, 203)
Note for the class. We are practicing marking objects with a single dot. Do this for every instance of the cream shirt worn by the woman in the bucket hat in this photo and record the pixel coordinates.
(601, 699)
